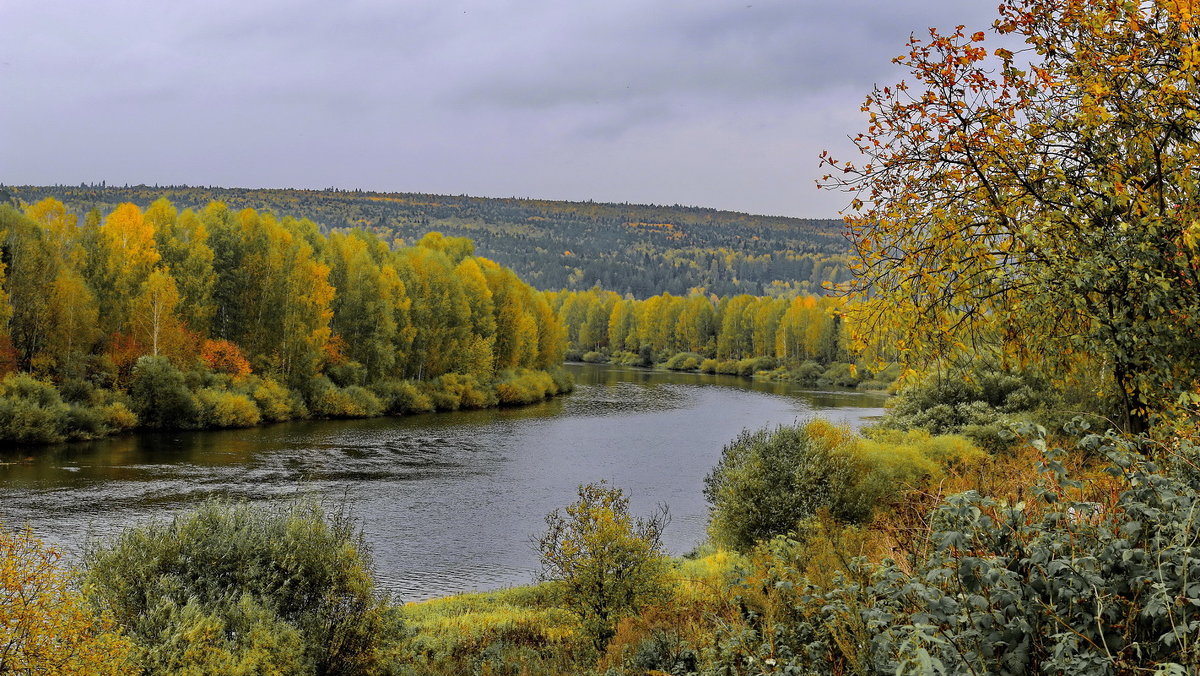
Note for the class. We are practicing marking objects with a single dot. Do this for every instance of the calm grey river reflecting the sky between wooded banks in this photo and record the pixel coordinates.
(448, 501)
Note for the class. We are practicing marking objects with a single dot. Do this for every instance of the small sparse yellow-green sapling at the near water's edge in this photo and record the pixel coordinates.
(607, 563)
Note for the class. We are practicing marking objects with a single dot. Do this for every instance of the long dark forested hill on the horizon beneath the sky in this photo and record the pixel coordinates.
(640, 250)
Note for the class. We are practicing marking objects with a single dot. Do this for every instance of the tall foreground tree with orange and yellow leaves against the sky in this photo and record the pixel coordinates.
(1045, 201)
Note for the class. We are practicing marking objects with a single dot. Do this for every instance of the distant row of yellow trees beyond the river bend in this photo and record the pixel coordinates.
(799, 338)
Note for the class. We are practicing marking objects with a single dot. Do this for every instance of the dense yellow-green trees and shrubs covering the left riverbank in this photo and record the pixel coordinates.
(214, 319)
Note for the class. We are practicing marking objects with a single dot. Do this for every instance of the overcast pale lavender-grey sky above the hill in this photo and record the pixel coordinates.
(698, 103)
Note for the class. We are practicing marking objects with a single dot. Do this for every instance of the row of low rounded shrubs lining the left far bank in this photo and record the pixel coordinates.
(163, 397)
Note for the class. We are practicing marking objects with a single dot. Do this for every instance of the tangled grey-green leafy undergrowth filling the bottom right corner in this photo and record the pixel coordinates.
(1085, 577)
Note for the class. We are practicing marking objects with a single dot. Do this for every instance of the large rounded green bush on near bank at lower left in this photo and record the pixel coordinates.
(272, 590)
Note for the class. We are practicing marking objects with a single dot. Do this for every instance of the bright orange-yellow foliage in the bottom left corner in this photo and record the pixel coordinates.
(46, 627)
